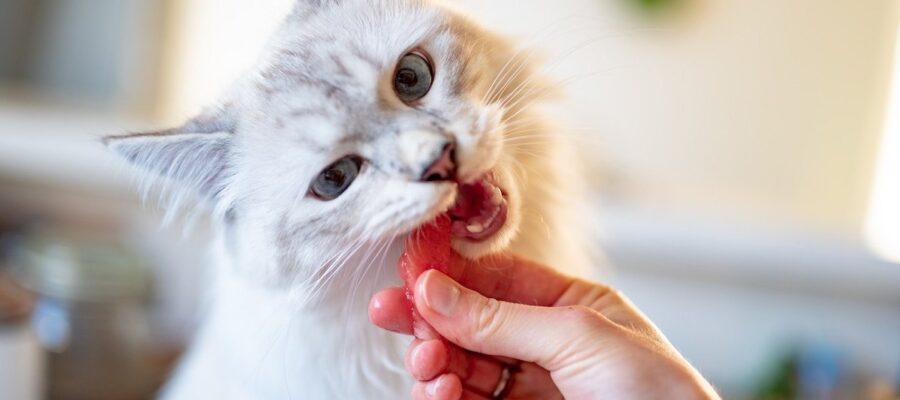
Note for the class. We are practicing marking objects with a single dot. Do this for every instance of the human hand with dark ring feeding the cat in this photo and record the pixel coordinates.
(561, 337)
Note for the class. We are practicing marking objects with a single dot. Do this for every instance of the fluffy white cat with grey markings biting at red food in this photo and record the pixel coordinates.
(358, 124)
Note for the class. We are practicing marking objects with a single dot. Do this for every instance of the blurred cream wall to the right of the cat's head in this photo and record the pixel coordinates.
(763, 109)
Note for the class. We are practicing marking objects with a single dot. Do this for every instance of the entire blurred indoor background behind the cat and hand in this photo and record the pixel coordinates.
(744, 158)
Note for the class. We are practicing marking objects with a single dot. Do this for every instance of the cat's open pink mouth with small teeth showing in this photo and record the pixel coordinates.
(480, 211)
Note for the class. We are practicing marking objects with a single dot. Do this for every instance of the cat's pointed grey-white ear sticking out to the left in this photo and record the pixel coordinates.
(195, 154)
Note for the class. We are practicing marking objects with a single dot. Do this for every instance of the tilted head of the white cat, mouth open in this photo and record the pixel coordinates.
(363, 120)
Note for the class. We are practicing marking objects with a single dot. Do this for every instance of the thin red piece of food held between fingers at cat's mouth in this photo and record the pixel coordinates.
(427, 248)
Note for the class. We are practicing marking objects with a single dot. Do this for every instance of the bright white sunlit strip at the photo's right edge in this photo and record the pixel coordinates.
(883, 223)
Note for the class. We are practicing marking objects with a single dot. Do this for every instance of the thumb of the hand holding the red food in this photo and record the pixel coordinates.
(551, 337)
